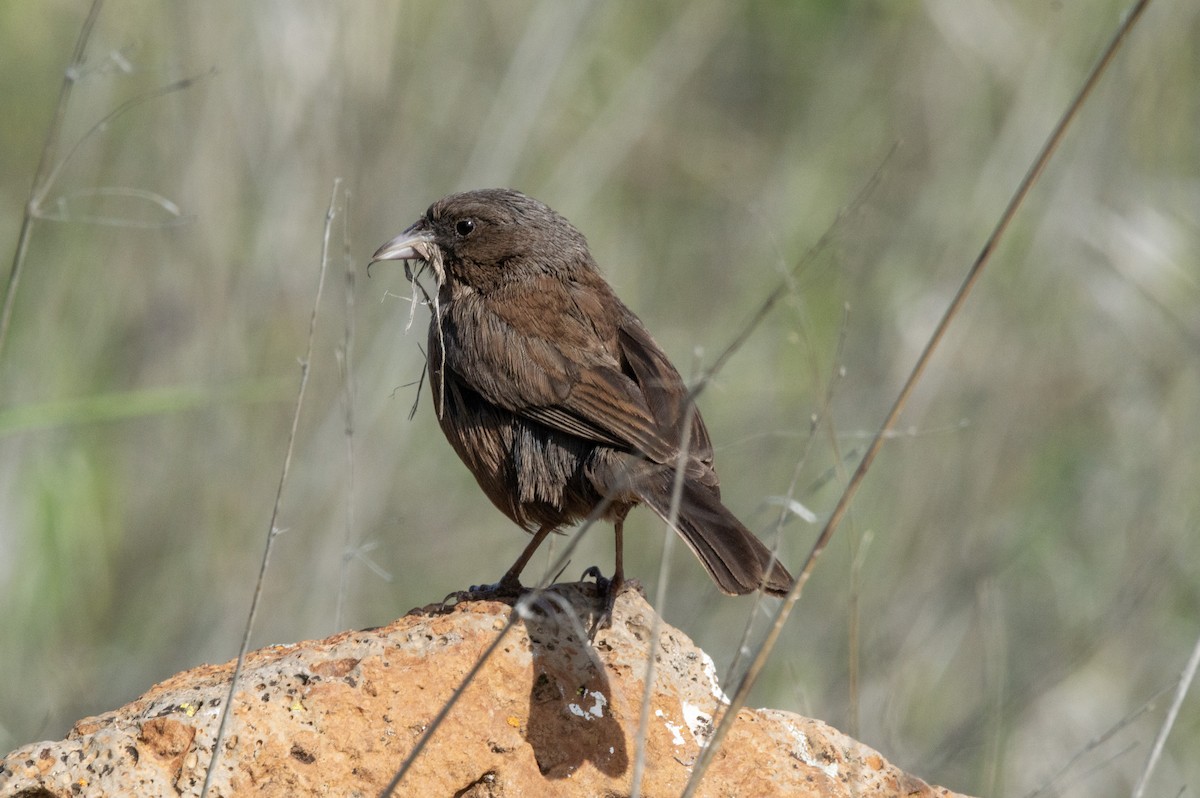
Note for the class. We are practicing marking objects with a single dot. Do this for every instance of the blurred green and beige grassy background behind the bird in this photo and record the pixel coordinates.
(1019, 575)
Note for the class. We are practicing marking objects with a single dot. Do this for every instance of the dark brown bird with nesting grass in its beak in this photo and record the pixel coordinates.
(554, 393)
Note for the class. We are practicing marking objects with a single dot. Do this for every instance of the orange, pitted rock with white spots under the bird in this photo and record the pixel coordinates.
(548, 715)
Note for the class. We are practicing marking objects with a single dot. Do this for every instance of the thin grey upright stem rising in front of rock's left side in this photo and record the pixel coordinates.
(227, 709)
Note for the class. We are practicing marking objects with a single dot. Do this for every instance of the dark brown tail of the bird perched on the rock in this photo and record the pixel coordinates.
(737, 561)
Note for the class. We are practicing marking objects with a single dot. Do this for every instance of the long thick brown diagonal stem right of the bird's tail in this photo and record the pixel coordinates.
(915, 376)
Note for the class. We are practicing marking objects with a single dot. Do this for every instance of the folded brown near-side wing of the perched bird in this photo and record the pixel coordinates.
(613, 387)
